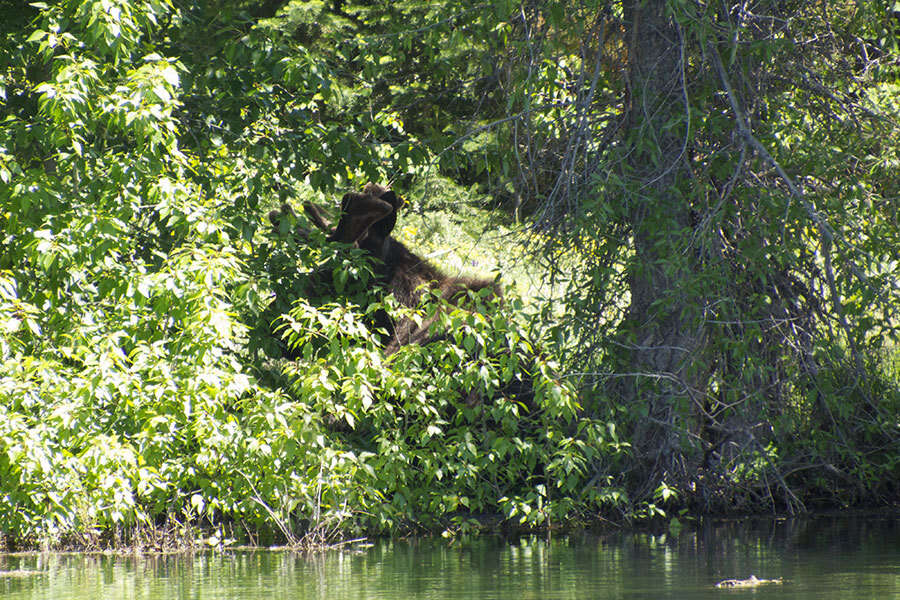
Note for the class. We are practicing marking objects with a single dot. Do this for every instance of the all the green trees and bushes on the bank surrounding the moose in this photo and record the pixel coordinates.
(165, 362)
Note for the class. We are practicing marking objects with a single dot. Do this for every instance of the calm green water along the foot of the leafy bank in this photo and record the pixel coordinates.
(817, 558)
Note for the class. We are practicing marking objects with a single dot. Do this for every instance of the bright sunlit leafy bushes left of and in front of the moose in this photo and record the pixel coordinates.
(140, 381)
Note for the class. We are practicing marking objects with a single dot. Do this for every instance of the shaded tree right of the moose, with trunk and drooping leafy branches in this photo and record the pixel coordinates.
(739, 232)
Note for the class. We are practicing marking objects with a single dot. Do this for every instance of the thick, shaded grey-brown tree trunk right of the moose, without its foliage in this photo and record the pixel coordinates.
(663, 331)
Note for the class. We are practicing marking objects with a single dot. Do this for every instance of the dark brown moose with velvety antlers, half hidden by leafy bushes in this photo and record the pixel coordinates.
(367, 219)
